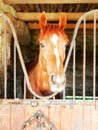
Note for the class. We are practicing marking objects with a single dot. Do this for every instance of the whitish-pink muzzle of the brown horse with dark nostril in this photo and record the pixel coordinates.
(57, 82)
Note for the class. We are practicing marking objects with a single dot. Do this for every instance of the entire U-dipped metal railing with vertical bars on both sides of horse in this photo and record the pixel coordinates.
(72, 51)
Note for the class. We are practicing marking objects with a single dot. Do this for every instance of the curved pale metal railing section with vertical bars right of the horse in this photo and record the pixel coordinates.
(73, 48)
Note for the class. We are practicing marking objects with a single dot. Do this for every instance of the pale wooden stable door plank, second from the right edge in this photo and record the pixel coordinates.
(87, 117)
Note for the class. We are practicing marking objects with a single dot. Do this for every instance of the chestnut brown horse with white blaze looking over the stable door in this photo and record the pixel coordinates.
(47, 76)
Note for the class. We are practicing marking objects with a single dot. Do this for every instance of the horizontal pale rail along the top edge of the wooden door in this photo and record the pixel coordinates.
(37, 102)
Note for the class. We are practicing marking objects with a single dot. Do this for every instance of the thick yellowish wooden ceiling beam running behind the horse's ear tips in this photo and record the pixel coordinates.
(52, 16)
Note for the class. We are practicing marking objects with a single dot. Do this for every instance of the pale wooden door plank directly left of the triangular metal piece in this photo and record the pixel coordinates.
(17, 116)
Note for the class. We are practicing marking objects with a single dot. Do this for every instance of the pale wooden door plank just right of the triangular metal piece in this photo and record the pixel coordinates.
(66, 118)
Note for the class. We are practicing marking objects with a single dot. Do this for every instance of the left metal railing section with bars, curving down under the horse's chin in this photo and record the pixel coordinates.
(17, 49)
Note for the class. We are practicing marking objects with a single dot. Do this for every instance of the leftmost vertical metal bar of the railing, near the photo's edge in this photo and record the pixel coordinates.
(5, 61)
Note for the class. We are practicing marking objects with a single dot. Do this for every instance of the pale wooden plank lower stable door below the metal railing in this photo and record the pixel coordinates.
(80, 117)
